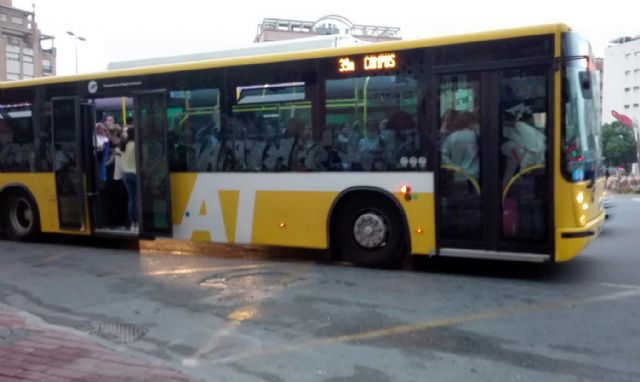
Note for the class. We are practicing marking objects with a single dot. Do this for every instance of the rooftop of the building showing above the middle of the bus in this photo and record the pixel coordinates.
(285, 29)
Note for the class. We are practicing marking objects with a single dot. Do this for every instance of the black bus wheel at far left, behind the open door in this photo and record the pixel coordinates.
(20, 216)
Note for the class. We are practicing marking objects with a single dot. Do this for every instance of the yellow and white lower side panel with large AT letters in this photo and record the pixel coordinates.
(289, 209)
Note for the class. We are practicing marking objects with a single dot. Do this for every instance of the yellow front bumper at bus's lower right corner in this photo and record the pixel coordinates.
(570, 241)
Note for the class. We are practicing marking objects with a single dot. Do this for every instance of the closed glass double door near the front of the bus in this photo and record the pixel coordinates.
(493, 178)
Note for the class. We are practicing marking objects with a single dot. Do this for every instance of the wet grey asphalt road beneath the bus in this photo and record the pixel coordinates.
(281, 315)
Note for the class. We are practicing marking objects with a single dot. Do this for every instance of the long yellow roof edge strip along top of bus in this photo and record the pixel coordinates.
(298, 55)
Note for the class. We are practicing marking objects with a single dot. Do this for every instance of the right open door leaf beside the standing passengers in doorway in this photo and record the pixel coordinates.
(152, 163)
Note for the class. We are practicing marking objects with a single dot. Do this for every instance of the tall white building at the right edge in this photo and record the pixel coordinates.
(621, 91)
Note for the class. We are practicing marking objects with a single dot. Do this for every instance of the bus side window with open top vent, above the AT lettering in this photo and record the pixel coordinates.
(270, 128)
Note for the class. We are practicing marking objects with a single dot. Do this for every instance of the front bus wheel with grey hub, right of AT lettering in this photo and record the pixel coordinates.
(378, 249)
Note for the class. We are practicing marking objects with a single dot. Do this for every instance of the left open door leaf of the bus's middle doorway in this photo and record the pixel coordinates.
(68, 165)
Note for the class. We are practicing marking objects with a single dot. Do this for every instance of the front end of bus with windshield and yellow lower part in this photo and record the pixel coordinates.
(580, 181)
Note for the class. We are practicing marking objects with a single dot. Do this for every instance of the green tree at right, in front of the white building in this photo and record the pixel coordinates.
(618, 144)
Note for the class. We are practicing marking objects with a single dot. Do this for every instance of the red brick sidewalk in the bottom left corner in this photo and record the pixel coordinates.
(32, 351)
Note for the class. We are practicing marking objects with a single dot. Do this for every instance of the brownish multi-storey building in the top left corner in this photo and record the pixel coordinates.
(24, 51)
